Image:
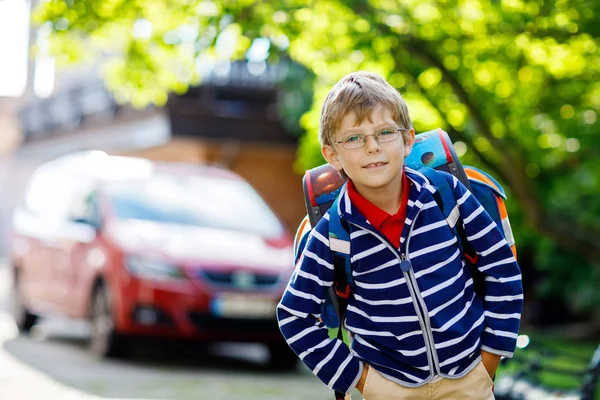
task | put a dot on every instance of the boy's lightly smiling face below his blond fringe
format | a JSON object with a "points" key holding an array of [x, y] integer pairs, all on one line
{"points": [[375, 165]]}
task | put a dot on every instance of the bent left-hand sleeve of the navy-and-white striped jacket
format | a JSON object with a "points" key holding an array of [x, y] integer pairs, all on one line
{"points": [[299, 311]]}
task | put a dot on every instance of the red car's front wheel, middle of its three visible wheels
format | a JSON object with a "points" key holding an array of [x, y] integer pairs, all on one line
{"points": [[104, 340]]}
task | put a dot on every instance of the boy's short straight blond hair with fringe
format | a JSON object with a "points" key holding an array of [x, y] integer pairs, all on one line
{"points": [[359, 92]]}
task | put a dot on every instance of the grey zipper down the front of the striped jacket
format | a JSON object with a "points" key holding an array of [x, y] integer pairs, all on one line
{"points": [[412, 284]]}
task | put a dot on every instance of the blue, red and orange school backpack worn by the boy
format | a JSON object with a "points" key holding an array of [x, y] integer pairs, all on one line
{"points": [[432, 152]]}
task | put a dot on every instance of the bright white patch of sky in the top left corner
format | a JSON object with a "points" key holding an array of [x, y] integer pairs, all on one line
{"points": [[14, 40]]}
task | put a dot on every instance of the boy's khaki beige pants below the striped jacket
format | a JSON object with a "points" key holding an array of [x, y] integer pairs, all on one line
{"points": [[476, 385]]}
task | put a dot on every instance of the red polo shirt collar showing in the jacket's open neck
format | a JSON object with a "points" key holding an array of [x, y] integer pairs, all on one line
{"points": [[389, 225]]}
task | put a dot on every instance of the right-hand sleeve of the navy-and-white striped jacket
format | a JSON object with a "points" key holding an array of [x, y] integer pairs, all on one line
{"points": [[503, 301]]}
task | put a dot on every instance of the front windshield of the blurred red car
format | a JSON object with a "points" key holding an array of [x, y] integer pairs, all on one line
{"points": [[221, 203]]}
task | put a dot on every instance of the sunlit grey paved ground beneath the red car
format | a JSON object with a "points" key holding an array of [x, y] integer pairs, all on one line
{"points": [[54, 364]]}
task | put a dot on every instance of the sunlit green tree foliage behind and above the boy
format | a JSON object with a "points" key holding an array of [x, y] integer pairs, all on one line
{"points": [[515, 81]]}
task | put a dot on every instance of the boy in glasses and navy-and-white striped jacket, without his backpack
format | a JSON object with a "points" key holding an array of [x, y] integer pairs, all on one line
{"points": [[418, 329]]}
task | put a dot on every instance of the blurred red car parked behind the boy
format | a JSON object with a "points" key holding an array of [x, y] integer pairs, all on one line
{"points": [[153, 249]]}
